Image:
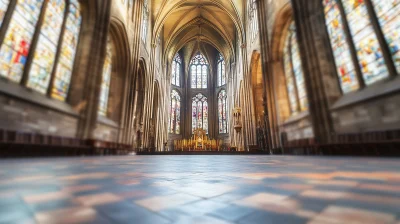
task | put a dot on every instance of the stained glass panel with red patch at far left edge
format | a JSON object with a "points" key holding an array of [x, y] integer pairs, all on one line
{"points": [[16, 44]]}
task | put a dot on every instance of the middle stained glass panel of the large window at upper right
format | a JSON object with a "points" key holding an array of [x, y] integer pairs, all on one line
{"points": [[369, 53]]}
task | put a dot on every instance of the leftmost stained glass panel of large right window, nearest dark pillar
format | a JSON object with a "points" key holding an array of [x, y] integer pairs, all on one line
{"points": [[345, 67]]}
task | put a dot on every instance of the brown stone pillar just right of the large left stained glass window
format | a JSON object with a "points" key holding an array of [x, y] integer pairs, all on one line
{"points": [[91, 69]]}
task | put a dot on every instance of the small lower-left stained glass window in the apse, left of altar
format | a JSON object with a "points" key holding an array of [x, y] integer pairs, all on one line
{"points": [[175, 113]]}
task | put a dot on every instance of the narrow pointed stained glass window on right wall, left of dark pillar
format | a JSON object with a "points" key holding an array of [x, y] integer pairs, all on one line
{"points": [[294, 72]]}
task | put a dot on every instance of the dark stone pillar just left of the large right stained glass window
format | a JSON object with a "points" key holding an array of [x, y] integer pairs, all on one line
{"points": [[312, 39]]}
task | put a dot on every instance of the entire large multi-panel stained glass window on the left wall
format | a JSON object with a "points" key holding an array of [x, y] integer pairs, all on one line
{"points": [[47, 71]]}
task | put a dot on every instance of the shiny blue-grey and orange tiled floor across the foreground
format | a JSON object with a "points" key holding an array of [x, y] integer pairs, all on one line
{"points": [[200, 189]]}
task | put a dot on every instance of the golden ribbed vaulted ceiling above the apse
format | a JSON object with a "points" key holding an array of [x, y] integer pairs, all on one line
{"points": [[184, 22]]}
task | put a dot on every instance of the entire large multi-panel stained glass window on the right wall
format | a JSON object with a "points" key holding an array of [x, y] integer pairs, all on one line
{"points": [[358, 52]]}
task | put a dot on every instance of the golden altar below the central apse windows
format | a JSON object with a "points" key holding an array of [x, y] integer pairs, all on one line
{"points": [[198, 142]]}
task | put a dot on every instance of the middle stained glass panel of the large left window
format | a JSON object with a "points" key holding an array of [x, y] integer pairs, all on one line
{"points": [[43, 61]]}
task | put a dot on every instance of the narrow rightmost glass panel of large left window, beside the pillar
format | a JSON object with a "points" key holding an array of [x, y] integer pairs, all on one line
{"points": [[67, 54]]}
